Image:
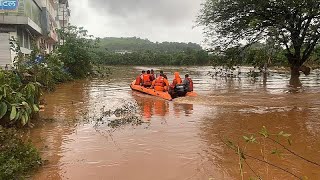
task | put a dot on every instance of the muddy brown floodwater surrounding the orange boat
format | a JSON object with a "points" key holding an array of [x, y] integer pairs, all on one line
{"points": [[181, 139]]}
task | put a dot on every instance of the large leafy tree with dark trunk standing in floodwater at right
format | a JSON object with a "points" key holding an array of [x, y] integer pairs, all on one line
{"points": [[294, 24]]}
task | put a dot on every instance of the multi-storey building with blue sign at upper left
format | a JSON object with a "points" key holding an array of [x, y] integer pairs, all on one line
{"points": [[28, 21]]}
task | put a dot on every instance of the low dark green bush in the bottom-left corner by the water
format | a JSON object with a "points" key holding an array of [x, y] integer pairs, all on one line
{"points": [[16, 157]]}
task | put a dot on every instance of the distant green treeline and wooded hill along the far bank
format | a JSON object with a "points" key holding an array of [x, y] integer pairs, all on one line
{"points": [[136, 51]]}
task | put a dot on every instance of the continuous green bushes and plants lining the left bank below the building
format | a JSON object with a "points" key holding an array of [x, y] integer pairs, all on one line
{"points": [[21, 89]]}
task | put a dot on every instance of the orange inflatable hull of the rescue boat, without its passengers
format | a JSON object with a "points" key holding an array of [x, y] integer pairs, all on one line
{"points": [[164, 95]]}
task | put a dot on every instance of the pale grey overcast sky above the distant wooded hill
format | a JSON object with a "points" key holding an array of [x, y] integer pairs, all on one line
{"points": [[156, 20]]}
